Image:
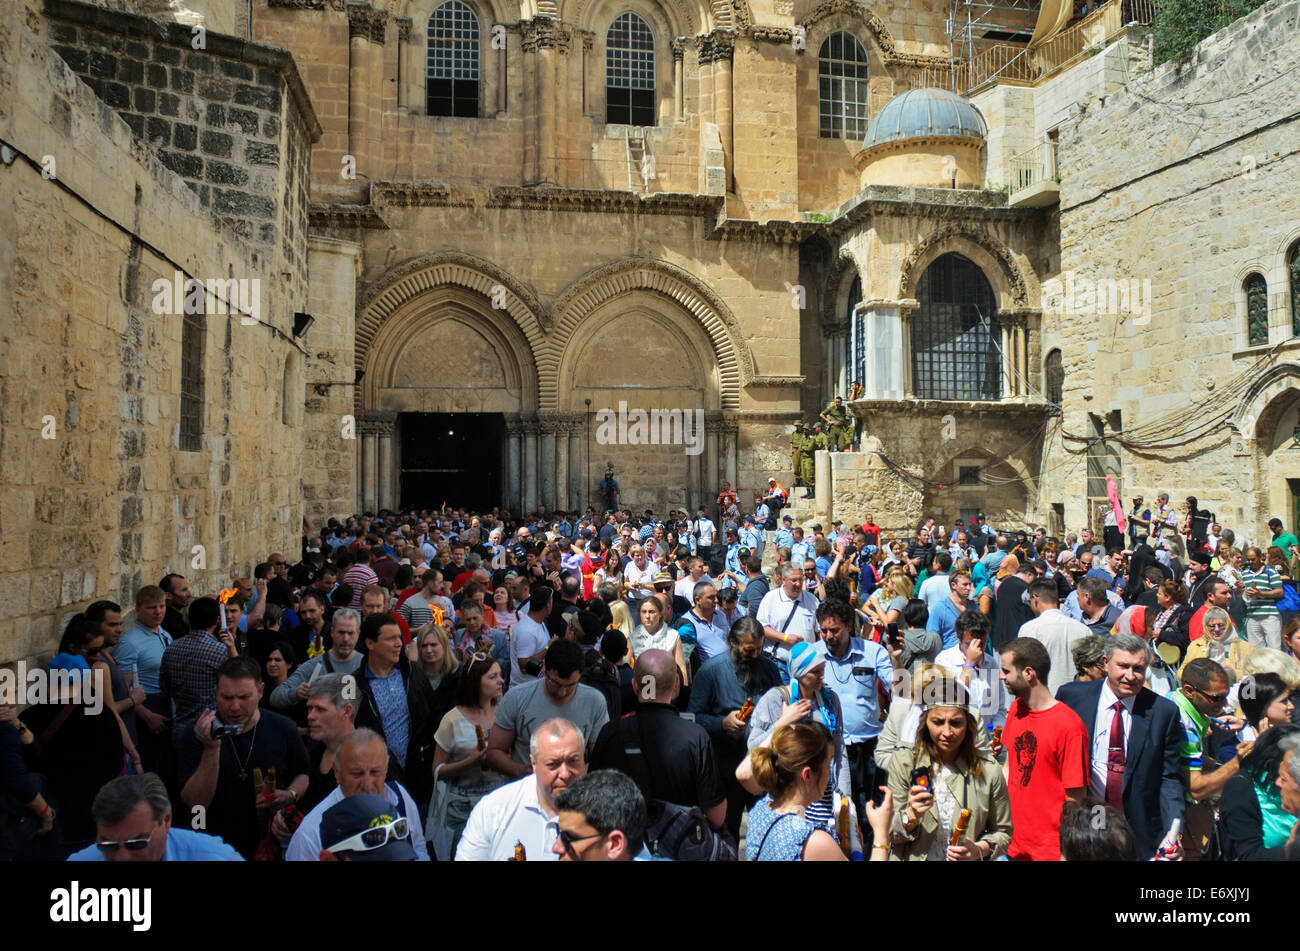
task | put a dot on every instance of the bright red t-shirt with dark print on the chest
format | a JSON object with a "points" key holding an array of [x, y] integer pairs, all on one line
{"points": [[1047, 753]]}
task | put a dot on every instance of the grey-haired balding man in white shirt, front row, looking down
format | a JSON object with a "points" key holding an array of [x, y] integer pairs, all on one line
{"points": [[523, 813]]}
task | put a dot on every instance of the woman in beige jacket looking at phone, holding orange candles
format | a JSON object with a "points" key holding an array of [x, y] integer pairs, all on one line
{"points": [[941, 779]]}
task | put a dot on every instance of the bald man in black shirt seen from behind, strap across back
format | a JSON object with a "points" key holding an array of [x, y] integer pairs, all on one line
{"points": [[669, 758]]}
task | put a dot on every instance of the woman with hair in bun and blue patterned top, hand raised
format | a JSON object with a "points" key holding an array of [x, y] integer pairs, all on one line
{"points": [[795, 768]]}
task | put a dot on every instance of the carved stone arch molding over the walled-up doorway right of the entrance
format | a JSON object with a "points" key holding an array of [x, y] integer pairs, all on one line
{"points": [[735, 363]]}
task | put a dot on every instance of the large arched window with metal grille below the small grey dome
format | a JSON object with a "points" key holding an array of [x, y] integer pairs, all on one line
{"points": [[956, 335]]}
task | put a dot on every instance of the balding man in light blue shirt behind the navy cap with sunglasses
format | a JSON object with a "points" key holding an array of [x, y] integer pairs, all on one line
{"points": [[361, 767]]}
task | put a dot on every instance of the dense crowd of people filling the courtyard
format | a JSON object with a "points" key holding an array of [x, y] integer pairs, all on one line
{"points": [[443, 685]]}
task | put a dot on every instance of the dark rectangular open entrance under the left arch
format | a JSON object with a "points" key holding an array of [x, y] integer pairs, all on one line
{"points": [[452, 458]]}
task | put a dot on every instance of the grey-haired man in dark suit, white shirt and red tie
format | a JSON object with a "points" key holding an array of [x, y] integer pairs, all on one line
{"points": [[1136, 740]]}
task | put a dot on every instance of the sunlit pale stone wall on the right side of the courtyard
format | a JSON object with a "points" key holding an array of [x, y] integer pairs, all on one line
{"points": [[1189, 181]]}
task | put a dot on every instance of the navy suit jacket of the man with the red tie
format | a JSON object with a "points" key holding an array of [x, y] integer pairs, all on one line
{"points": [[1154, 785]]}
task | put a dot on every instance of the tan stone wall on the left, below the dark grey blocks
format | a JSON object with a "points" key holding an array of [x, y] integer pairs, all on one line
{"points": [[98, 498]]}
